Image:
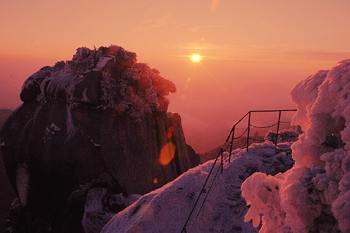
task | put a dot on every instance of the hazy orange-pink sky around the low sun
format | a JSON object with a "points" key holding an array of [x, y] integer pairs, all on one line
{"points": [[255, 51]]}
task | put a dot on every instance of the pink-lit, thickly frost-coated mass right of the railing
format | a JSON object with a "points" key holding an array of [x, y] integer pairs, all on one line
{"points": [[314, 196]]}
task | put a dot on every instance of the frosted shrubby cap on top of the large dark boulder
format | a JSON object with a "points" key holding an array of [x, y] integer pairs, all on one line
{"points": [[104, 78]]}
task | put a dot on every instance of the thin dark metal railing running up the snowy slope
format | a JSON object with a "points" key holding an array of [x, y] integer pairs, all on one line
{"points": [[229, 146]]}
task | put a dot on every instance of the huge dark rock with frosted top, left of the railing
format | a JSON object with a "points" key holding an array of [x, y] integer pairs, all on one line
{"points": [[99, 120]]}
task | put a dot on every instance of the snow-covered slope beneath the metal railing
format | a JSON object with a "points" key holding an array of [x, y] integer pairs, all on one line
{"points": [[167, 208]]}
